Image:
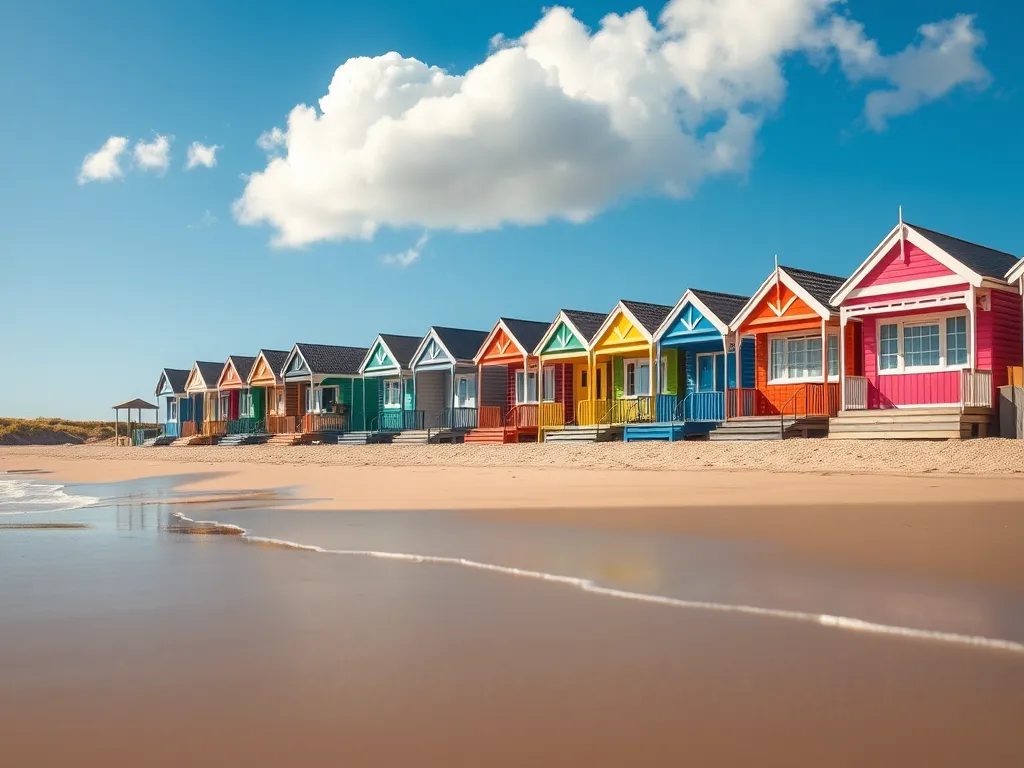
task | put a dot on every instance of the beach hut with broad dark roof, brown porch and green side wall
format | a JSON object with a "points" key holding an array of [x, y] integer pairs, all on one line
{"points": [[332, 398]]}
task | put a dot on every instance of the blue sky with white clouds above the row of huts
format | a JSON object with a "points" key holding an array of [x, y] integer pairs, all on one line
{"points": [[191, 181]]}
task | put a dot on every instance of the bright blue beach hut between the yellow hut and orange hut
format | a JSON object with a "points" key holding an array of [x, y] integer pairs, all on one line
{"points": [[697, 364]]}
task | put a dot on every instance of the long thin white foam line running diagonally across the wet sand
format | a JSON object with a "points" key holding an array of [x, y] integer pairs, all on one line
{"points": [[847, 624]]}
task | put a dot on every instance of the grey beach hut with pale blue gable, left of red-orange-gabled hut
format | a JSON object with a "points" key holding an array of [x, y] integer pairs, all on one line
{"points": [[445, 383]]}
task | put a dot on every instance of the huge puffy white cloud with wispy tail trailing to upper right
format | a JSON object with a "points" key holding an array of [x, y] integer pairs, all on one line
{"points": [[565, 121]]}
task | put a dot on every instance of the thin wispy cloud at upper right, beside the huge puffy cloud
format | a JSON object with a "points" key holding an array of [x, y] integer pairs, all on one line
{"points": [[946, 58]]}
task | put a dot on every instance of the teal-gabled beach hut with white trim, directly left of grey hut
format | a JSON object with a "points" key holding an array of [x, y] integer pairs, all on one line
{"points": [[390, 364]]}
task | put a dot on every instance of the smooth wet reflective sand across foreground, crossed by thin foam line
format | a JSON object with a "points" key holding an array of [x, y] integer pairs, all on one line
{"points": [[127, 645]]}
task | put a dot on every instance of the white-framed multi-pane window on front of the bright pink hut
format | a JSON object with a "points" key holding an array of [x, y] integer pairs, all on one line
{"points": [[923, 345]]}
